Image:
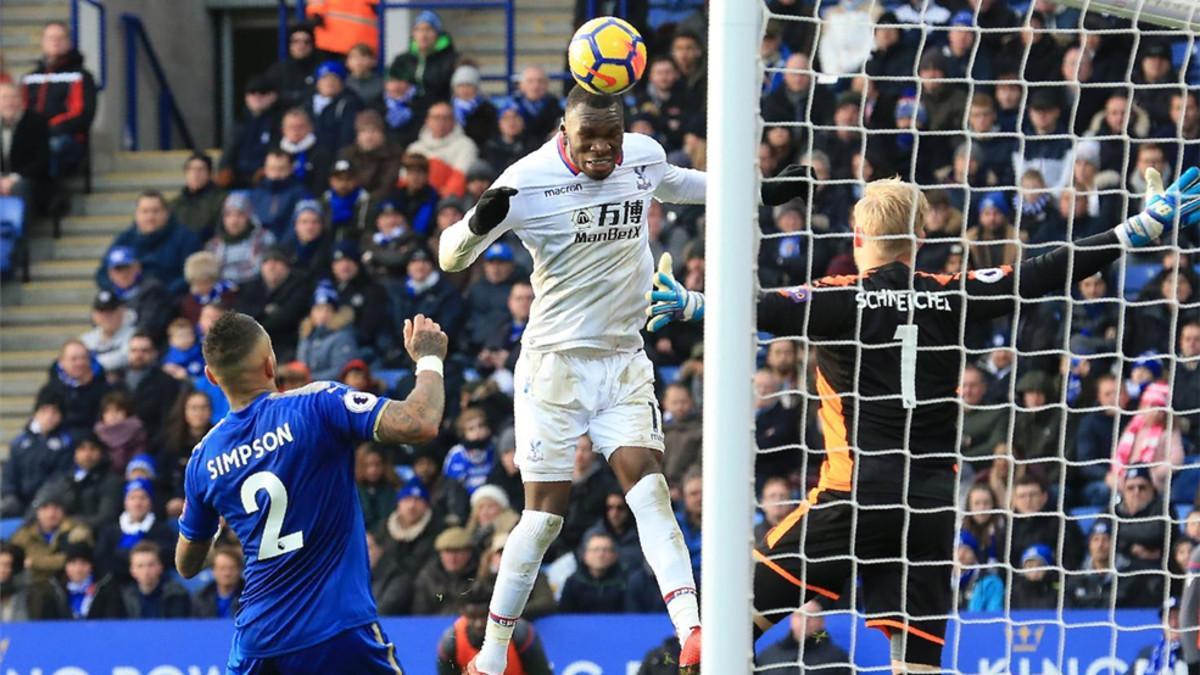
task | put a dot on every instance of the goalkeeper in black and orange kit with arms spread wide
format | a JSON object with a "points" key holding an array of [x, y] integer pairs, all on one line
{"points": [[887, 344]]}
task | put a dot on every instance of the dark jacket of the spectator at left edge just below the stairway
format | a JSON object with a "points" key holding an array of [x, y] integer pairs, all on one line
{"points": [[34, 461]]}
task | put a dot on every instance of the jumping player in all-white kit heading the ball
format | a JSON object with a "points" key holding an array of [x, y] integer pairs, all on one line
{"points": [[579, 205]]}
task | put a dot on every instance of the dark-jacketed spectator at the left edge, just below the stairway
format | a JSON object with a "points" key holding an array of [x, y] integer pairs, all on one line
{"points": [[39, 455]]}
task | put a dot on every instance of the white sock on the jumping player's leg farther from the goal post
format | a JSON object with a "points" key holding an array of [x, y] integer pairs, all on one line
{"points": [[526, 546]]}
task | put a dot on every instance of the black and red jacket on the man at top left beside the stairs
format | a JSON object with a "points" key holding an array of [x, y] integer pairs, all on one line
{"points": [[64, 94]]}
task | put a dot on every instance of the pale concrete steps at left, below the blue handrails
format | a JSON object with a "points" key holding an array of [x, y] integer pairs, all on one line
{"points": [[38, 318]]}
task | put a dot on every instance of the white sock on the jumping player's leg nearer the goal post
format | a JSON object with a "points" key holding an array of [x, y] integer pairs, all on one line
{"points": [[665, 551]]}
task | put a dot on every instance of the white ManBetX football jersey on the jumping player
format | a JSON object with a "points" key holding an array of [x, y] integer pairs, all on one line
{"points": [[590, 242]]}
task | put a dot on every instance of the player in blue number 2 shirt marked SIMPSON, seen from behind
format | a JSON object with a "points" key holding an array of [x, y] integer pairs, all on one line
{"points": [[280, 470]]}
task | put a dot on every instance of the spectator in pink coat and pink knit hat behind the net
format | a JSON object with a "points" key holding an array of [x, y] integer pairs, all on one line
{"points": [[1150, 439]]}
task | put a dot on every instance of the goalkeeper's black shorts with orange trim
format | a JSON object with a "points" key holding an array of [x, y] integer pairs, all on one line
{"points": [[905, 568]]}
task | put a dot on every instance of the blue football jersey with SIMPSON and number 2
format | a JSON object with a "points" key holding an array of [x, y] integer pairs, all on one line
{"points": [[281, 473]]}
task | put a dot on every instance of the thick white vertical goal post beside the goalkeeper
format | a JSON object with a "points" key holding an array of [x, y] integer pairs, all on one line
{"points": [[734, 129]]}
